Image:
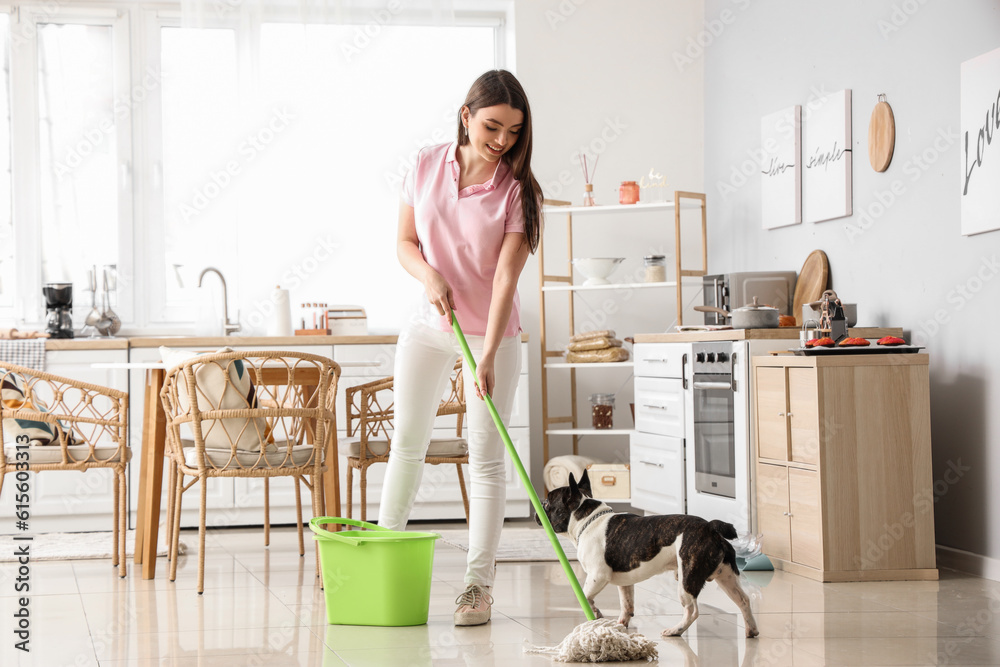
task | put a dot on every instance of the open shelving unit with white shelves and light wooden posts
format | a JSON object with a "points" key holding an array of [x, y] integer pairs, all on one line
{"points": [[558, 377]]}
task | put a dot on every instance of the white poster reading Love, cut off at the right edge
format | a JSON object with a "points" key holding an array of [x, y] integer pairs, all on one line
{"points": [[980, 127]]}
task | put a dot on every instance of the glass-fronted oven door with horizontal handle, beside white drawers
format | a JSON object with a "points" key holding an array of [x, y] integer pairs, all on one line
{"points": [[714, 435]]}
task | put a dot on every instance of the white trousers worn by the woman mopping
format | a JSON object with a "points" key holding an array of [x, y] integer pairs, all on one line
{"points": [[425, 358]]}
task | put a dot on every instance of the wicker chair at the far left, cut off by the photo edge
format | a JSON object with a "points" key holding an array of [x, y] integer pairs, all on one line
{"points": [[90, 425]]}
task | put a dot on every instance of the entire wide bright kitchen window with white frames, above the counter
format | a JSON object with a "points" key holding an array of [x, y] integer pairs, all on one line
{"points": [[269, 149]]}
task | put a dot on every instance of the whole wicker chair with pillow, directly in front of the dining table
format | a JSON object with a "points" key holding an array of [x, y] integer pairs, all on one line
{"points": [[247, 414]]}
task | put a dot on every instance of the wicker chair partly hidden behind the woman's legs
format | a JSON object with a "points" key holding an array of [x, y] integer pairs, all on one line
{"points": [[369, 418]]}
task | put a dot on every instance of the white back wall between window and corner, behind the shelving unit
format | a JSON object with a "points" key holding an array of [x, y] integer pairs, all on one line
{"points": [[602, 74]]}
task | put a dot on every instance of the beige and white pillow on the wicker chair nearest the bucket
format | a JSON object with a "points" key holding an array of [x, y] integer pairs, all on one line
{"points": [[218, 393]]}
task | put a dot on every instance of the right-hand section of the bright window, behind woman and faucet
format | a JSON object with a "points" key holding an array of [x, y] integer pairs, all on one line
{"points": [[285, 180]]}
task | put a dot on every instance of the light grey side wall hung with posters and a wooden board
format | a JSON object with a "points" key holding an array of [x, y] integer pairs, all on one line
{"points": [[907, 264]]}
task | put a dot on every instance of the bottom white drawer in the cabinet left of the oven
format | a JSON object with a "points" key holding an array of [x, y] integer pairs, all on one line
{"points": [[657, 466]]}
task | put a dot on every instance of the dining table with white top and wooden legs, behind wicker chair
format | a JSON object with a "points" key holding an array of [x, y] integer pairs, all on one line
{"points": [[154, 436]]}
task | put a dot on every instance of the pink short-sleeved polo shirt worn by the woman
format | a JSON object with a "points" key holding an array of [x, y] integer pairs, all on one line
{"points": [[460, 233]]}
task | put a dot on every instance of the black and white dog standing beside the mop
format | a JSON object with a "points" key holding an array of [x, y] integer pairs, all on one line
{"points": [[624, 549]]}
